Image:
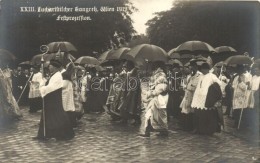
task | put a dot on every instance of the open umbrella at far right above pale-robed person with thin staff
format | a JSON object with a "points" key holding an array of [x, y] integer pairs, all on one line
{"points": [[238, 59]]}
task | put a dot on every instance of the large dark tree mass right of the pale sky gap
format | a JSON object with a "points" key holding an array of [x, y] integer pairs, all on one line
{"points": [[218, 23]]}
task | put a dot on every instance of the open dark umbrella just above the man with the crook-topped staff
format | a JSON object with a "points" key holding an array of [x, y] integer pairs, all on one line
{"points": [[61, 46]]}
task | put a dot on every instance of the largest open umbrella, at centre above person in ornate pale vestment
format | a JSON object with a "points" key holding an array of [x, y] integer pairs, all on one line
{"points": [[146, 53]]}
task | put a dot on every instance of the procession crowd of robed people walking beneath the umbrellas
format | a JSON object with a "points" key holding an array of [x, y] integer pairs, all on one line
{"points": [[194, 94]]}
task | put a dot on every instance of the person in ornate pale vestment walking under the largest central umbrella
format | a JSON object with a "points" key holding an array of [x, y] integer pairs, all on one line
{"points": [[154, 114]]}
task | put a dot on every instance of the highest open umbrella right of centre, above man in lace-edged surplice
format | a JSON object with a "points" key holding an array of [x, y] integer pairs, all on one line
{"points": [[195, 47]]}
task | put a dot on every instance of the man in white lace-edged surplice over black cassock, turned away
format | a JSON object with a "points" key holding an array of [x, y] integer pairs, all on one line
{"points": [[206, 100]]}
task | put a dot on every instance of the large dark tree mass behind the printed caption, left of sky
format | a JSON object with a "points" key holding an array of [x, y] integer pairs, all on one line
{"points": [[23, 33]]}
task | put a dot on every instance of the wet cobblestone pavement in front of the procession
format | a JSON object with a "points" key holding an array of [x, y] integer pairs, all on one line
{"points": [[100, 140]]}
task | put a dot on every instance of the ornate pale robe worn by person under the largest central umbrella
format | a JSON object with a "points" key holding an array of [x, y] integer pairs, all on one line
{"points": [[155, 101]]}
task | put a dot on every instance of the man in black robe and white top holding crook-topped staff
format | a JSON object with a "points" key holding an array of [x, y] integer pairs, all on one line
{"points": [[57, 123]]}
